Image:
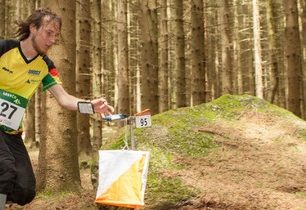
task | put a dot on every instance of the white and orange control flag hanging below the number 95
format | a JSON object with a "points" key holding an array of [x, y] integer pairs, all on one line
{"points": [[122, 177]]}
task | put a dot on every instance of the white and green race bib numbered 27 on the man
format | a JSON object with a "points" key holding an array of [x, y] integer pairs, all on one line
{"points": [[12, 109]]}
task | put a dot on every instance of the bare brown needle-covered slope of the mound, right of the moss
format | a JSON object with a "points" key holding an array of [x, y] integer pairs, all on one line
{"points": [[261, 165]]}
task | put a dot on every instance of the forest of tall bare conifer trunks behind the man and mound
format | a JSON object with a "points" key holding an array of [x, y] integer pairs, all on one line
{"points": [[158, 55]]}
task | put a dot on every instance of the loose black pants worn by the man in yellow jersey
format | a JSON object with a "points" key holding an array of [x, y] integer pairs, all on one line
{"points": [[17, 178]]}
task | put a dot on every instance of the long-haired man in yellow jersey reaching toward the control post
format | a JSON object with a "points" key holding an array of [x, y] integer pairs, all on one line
{"points": [[24, 65]]}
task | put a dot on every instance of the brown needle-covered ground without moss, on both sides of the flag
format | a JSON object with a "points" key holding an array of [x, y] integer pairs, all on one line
{"points": [[260, 163]]}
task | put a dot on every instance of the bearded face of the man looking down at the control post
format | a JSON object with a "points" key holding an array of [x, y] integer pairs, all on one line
{"points": [[44, 37]]}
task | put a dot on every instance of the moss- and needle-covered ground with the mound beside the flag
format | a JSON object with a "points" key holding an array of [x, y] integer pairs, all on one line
{"points": [[234, 153]]}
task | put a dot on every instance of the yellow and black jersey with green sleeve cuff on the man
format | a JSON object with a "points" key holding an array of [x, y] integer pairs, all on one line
{"points": [[19, 79]]}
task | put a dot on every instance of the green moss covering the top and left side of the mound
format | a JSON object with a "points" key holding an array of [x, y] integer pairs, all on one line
{"points": [[174, 133]]}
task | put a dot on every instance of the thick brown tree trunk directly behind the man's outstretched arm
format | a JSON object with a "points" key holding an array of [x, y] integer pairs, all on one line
{"points": [[58, 159]]}
